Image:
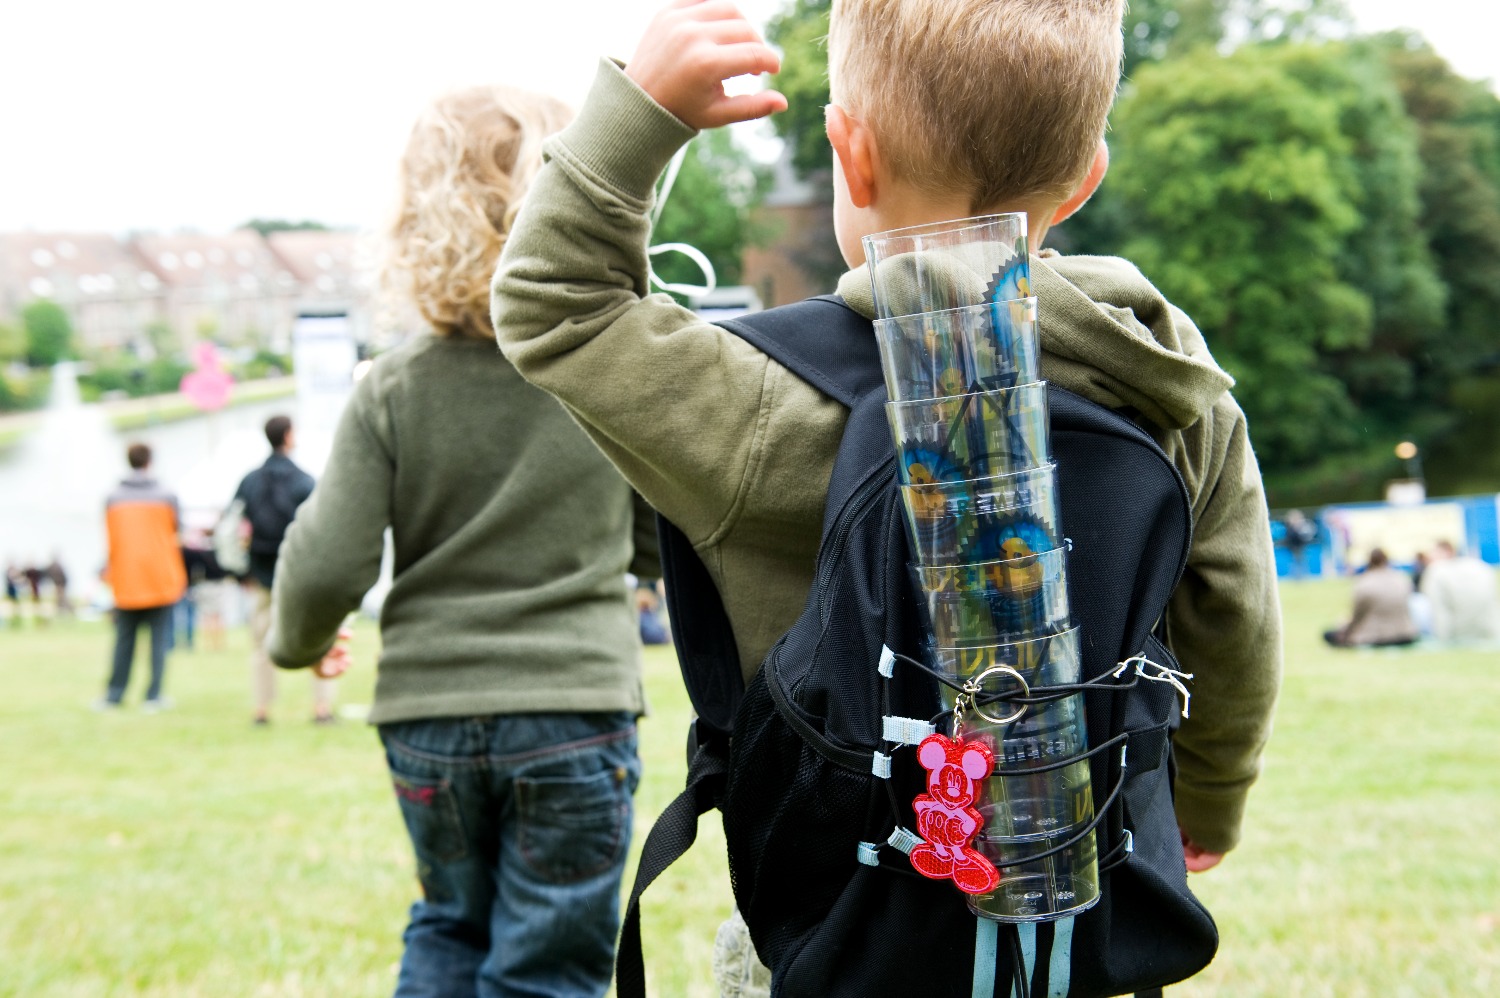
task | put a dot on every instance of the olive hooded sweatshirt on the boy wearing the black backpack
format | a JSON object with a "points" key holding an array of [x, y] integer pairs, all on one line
{"points": [[739, 452]]}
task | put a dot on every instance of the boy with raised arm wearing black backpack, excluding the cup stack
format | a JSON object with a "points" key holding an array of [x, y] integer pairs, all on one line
{"points": [[740, 442]]}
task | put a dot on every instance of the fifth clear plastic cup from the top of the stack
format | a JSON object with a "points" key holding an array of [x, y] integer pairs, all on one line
{"points": [[997, 601]]}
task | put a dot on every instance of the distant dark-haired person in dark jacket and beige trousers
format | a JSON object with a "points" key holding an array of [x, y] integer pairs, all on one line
{"points": [[269, 499]]}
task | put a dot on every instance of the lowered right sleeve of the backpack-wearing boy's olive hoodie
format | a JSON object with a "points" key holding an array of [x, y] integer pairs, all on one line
{"points": [[1225, 627]]}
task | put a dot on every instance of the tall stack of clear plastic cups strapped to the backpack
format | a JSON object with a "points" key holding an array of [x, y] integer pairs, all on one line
{"points": [[959, 349]]}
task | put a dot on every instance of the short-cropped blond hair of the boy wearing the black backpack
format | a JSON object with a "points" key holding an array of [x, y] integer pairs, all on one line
{"points": [[1003, 101]]}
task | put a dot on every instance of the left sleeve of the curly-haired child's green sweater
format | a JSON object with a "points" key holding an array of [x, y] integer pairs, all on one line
{"points": [[332, 553]]}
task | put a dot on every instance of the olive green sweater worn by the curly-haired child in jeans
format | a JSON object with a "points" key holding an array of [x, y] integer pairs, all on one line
{"points": [[512, 537]]}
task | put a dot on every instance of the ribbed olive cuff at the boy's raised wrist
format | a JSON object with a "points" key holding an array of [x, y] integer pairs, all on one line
{"points": [[622, 134]]}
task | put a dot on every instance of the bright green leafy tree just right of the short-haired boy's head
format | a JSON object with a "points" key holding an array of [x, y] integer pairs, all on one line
{"points": [[1289, 227]]}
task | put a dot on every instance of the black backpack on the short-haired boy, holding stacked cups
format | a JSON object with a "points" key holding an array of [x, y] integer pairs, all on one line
{"points": [[788, 762]]}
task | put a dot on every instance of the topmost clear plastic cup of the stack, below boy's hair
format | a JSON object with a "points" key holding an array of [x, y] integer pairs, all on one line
{"points": [[949, 265]]}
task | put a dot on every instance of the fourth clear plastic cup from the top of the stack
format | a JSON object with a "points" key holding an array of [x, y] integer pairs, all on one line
{"points": [[983, 520]]}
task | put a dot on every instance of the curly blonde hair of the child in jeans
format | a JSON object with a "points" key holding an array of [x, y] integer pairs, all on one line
{"points": [[463, 178]]}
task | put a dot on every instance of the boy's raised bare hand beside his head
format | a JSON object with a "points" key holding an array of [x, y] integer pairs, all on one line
{"points": [[686, 55]]}
